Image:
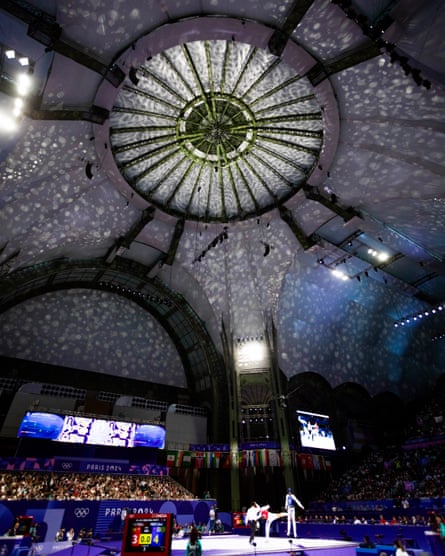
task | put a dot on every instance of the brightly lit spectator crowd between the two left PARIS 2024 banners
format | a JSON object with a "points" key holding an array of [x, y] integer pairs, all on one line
{"points": [[40, 485]]}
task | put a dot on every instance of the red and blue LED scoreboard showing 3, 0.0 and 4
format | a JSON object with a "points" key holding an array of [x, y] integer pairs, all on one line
{"points": [[147, 533]]}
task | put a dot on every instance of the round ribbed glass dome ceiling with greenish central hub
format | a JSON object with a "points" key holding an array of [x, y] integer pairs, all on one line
{"points": [[216, 131]]}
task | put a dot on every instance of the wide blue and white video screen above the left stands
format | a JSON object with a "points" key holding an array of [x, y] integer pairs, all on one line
{"points": [[87, 430]]}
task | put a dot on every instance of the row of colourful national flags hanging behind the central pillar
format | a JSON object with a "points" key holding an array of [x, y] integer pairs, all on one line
{"points": [[244, 459]]}
